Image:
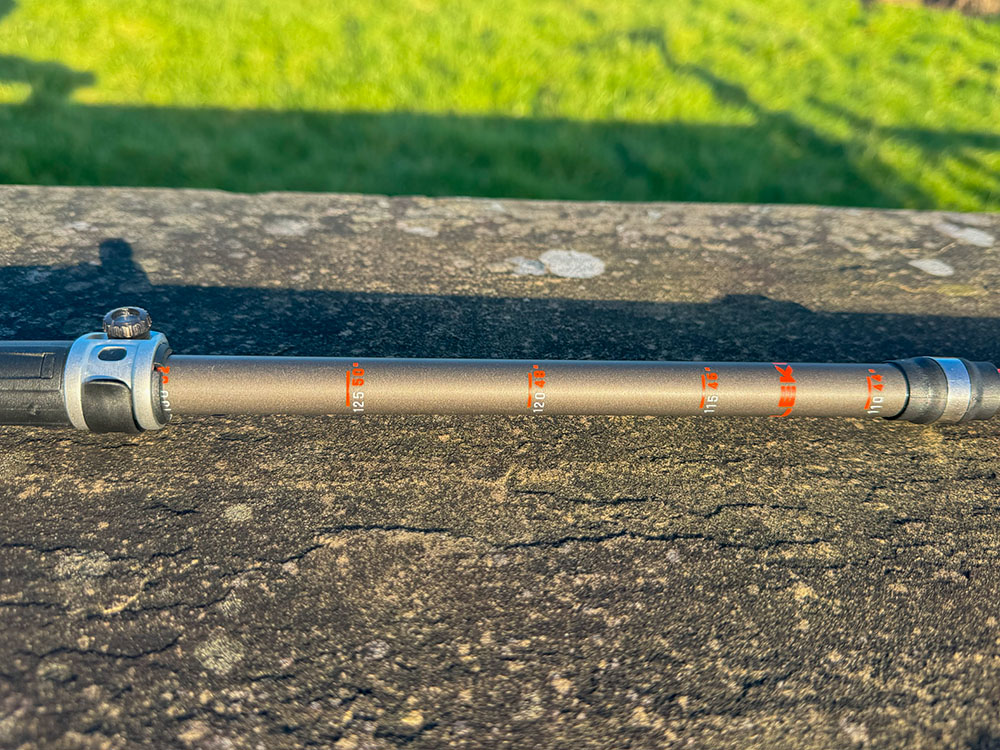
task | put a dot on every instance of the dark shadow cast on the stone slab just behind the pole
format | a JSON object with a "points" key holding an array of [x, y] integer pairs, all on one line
{"points": [[249, 320]]}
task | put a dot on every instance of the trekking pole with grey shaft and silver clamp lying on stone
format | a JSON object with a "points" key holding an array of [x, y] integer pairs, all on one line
{"points": [[127, 379]]}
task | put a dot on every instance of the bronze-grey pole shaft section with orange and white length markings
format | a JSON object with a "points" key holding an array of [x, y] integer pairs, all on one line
{"points": [[304, 385]]}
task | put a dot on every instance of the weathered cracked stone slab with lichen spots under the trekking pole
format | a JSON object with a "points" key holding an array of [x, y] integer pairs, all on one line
{"points": [[501, 581]]}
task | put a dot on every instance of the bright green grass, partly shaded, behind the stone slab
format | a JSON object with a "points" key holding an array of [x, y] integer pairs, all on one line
{"points": [[802, 101]]}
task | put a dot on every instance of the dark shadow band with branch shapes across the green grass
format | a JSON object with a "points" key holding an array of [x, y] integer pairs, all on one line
{"points": [[49, 140]]}
